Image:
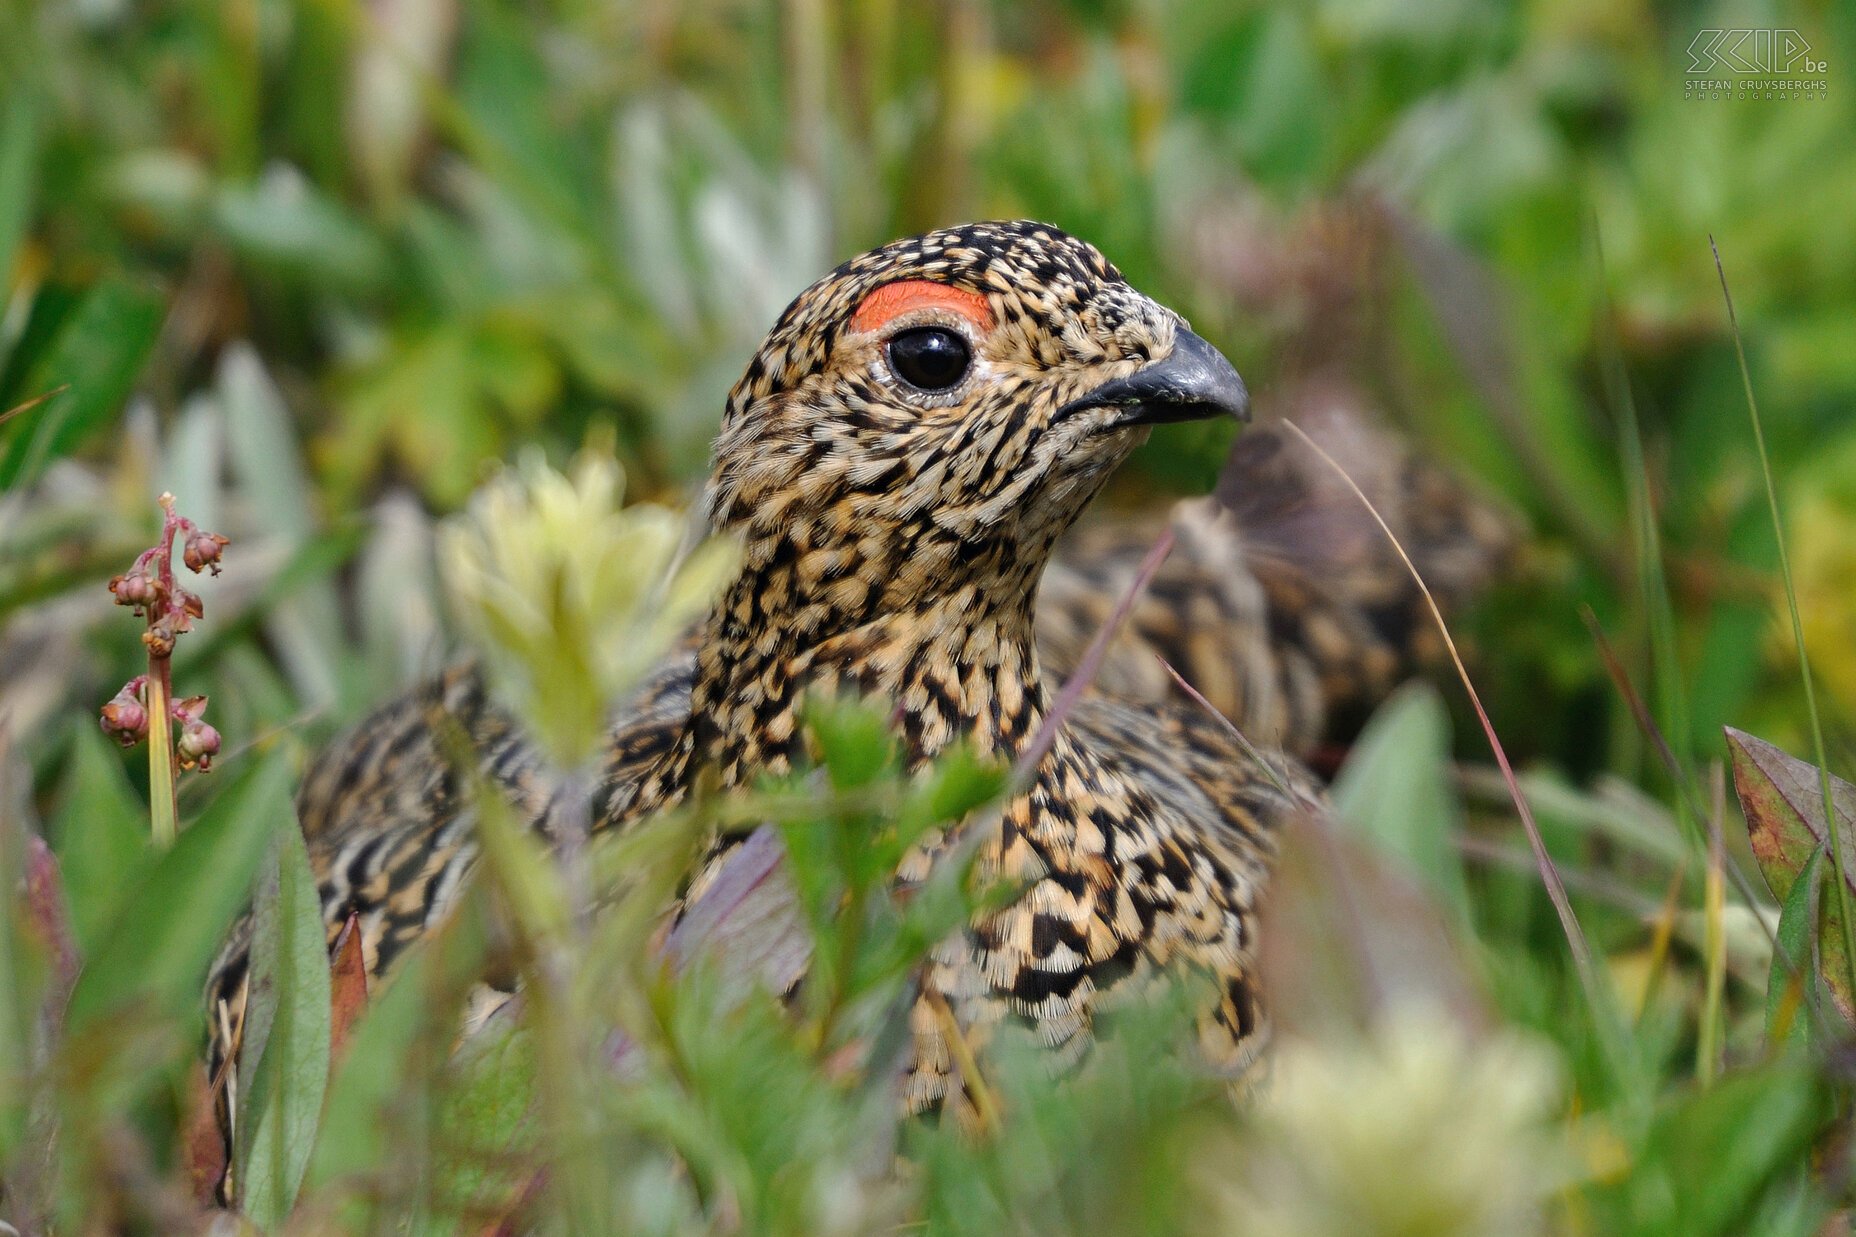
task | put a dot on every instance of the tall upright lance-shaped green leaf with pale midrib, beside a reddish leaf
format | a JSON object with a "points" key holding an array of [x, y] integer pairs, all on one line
{"points": [[285, 1056]]}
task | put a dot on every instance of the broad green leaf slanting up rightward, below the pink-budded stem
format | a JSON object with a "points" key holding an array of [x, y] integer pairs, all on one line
{"points": [[157, 952]]}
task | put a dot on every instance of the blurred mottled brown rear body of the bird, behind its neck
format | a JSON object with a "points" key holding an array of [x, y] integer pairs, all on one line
{"points": [[1282, 603]]}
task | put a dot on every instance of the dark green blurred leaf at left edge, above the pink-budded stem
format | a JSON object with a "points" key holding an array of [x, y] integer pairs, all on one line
{"points": [[97, 352]]}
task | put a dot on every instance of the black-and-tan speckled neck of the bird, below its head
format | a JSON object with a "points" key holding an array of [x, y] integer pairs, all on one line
{"points": [[946, 638]]}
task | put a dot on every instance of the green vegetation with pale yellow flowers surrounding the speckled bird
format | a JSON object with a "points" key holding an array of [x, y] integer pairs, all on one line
{"points": [[315, 267]]}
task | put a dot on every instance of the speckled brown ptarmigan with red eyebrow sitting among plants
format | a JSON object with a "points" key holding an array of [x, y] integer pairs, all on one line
{"points": [[899, 463]]}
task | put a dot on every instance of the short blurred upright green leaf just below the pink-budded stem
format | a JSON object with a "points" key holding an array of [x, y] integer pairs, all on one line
{"points": [[103, 835]]}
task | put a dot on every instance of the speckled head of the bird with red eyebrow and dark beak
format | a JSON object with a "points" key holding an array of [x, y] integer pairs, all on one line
{"points": [[946, 406]]}
